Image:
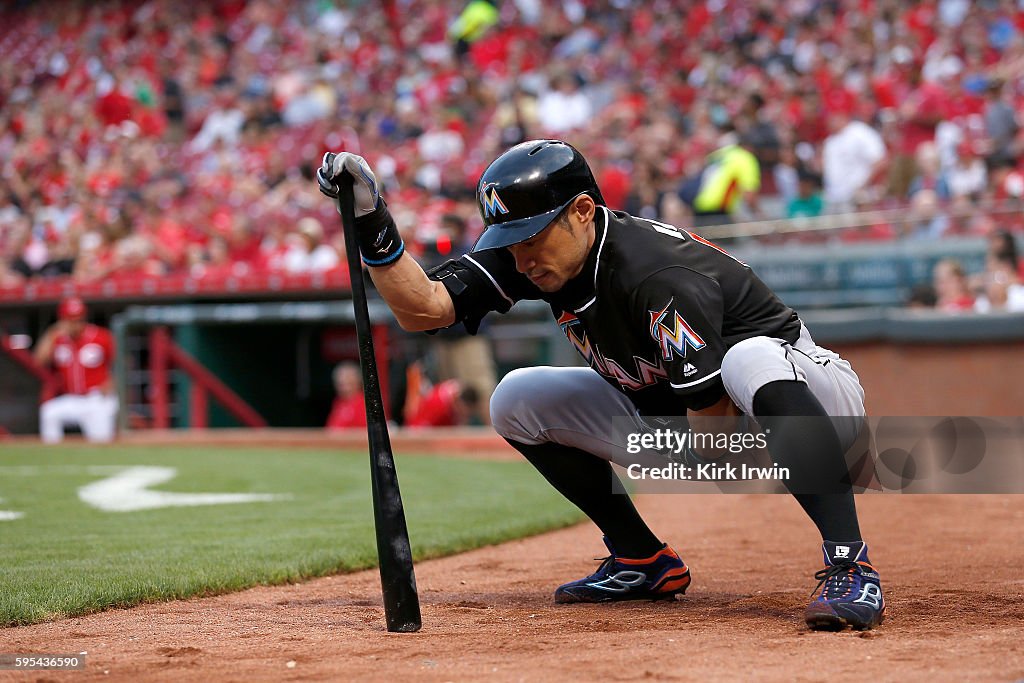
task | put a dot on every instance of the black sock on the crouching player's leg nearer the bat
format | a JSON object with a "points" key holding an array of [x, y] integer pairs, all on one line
{"points": [[589, 483]]}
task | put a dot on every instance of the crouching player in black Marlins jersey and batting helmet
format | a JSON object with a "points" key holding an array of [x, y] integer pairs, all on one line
{"points": [[669, 324]]}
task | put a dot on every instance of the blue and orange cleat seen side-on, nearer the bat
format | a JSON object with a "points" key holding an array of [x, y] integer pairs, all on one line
{"points": [[660, 577]]}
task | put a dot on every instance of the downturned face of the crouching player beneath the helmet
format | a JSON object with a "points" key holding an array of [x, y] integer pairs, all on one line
{"points": [[558, 253]]}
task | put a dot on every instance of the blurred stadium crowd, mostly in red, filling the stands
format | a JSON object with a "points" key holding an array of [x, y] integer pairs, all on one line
{"points": [[144, 139]]}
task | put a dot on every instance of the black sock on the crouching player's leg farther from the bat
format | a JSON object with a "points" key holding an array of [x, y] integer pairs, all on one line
{"points": [[812, 450]]}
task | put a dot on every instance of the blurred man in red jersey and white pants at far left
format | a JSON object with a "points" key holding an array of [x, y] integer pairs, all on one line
{"points": [[83, 355]]}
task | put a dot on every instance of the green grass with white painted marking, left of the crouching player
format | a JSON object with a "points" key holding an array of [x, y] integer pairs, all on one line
{"points": [[65, 558]]}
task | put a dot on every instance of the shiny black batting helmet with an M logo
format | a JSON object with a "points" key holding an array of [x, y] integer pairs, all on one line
{"points": [[522, 192]]}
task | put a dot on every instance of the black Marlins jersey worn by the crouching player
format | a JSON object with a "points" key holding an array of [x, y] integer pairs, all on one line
{"points": [[654, 310]]}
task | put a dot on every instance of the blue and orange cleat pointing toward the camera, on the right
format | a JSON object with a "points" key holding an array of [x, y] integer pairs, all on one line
{"points": [[851, 591]]}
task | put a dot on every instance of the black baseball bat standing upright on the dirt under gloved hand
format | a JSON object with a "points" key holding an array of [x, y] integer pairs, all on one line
{"points": [[402, 605]]}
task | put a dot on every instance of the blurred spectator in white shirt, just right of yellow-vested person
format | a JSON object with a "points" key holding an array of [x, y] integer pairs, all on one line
{"points": [[854, 156]]}
